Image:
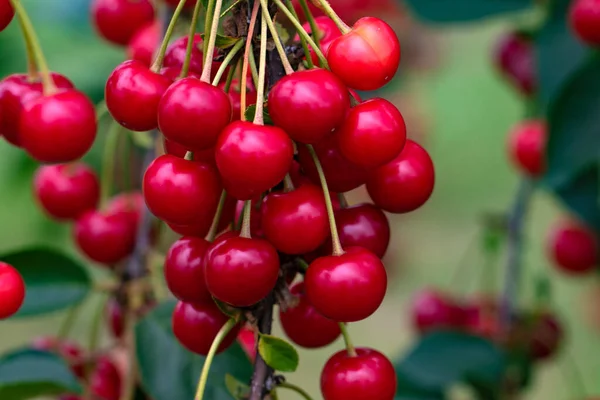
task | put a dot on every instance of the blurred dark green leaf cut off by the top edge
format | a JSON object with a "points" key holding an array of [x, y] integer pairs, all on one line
{"points": [[464, 10]]}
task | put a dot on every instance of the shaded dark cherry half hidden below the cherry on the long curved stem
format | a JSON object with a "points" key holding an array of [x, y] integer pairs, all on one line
{"points": [[305, 326]]}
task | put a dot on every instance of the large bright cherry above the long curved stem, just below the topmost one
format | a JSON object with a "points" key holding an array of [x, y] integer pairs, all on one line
{"points": [[308, 105]]}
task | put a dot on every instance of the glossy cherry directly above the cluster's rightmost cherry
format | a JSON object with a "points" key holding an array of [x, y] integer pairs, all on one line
{"points": [[373, 133]]}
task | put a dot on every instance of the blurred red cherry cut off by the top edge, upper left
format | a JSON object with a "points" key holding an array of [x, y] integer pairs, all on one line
{"points": [[118, 20]]}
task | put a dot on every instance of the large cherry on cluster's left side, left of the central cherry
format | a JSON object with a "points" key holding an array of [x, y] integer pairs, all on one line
{"points": [[181, 192]]}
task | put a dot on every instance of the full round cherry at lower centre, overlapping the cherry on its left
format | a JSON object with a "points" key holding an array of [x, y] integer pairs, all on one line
{"points": [[241, 271]]}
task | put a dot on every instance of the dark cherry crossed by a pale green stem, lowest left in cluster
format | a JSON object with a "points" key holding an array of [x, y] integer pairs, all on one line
{"points": [[197, 325]]}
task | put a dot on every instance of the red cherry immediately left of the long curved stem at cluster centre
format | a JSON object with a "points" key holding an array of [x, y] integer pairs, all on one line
{"points": [[295, 222]]}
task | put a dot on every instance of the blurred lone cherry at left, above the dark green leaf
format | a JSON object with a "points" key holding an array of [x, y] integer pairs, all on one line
{"points": [[66, 191]]}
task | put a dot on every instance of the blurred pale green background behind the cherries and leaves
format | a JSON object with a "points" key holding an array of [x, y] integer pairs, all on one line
{"points": [[467, 110]]}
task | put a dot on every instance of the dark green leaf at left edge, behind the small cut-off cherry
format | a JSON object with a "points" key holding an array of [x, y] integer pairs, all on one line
{"points": [[53, 281]]}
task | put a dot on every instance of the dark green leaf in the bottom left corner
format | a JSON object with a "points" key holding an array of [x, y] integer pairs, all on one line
{"points": [[31, 373]]}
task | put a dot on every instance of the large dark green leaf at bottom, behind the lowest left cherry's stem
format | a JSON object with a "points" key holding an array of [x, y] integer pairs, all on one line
{"points": [[169, 372]]}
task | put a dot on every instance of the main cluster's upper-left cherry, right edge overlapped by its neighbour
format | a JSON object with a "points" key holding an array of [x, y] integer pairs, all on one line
{"points": [[132, 94]]}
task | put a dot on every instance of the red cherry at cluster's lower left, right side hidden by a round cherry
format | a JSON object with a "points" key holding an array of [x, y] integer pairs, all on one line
{"points": [[184, 271]]}
